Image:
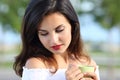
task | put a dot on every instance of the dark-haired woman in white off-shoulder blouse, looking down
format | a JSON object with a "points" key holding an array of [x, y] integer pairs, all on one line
{"points": [[52, 48]]}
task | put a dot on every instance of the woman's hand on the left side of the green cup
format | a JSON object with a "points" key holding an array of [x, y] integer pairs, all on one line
{"points": [[73, 73]]}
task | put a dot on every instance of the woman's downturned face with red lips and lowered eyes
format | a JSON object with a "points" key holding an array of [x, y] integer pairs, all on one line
{"points": [[55, 33]]}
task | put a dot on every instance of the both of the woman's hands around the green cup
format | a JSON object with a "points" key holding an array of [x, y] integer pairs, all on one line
{"points": [[74, 73]]}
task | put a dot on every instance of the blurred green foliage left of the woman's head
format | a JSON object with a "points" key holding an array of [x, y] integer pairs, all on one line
{"points": [[11, 12]]}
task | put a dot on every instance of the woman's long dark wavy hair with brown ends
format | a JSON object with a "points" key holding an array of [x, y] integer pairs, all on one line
{"points": [[31, 45]]}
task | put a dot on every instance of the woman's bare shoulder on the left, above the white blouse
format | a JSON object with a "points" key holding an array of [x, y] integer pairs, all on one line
{"points": [[34, 63]]}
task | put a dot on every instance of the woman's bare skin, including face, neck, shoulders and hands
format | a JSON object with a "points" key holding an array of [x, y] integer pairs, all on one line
{"points": [[50, 33]]}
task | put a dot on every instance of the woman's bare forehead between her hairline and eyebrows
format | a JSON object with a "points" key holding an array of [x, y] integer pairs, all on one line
{"points": [[53, 20]]}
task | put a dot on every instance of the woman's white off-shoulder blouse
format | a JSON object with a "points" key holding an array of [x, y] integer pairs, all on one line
{"points": [[45, 74]]}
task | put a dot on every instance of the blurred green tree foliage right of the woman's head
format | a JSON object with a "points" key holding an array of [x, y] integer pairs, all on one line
{"points": [[106, 12]]}
